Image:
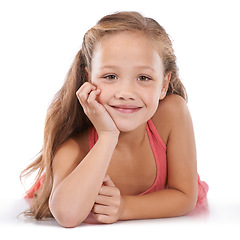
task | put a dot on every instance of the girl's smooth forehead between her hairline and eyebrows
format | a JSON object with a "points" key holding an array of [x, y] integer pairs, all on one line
{"points": [[127, 48]]}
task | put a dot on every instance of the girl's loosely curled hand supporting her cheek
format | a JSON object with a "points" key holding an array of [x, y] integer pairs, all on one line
{"points": [[95, 111]]}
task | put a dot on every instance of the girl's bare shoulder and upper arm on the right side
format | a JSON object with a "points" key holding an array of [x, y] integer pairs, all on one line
{"points": [[174, 124]]}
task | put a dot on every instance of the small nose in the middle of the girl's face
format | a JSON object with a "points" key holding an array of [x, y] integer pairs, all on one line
{"points": [[125, 91]]}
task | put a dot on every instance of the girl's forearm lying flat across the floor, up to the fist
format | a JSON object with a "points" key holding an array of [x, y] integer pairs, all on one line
{"points": [[160, 204]]}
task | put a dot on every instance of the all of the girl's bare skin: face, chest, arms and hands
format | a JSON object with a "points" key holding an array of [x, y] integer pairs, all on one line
{"points": [[126, 87]]}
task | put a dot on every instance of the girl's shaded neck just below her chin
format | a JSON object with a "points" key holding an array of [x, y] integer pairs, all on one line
{"points": [[132, 139]]}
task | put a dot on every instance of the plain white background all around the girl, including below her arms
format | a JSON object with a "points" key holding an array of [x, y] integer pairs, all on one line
{"points": [[38, 42]]}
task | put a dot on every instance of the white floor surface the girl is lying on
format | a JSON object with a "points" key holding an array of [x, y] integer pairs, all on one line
{"points": [[218, 219]]}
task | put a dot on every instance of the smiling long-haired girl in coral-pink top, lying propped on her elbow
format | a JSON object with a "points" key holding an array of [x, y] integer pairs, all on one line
{"points": [[118, 139]]}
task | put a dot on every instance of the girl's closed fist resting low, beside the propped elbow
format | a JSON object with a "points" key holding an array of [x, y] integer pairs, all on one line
{"points": [[109, 203]]}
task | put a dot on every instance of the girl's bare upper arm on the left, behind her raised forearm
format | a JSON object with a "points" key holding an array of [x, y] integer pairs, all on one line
{"points": [[68, 156]]}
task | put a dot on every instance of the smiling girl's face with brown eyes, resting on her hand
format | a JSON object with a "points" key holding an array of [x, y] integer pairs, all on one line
{"points": [[129, 73]]}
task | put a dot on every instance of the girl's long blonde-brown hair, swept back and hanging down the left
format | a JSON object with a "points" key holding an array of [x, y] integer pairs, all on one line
{"points": [[65, 117]]}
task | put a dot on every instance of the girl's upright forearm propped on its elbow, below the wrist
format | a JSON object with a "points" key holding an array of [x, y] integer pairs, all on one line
{"points": [[73, 198]]}
